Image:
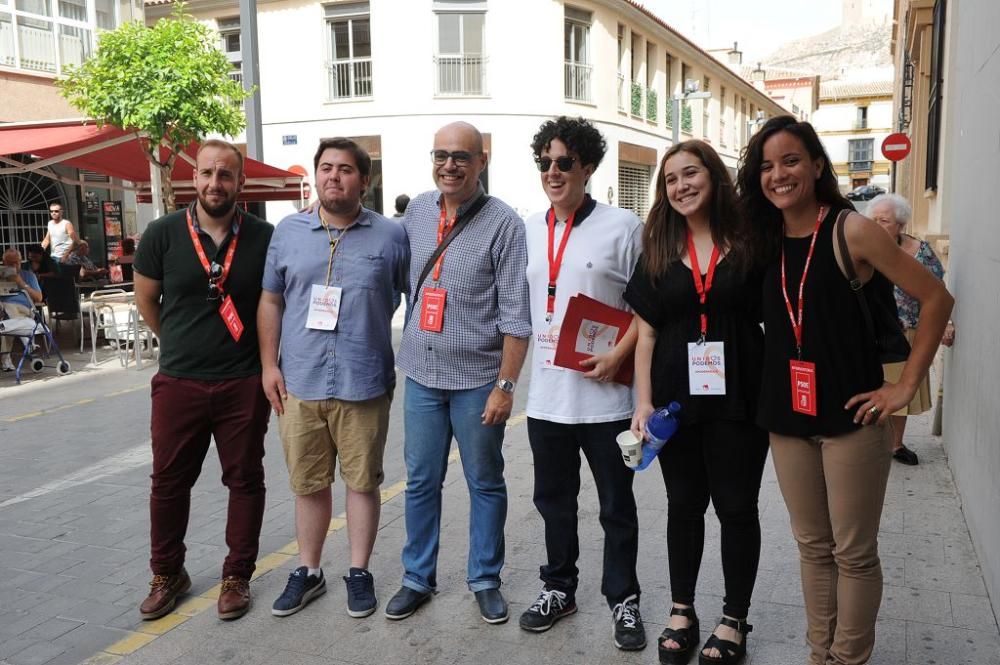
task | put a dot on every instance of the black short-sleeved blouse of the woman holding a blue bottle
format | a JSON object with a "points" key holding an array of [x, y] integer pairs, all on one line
{"points": [[733, 307]]}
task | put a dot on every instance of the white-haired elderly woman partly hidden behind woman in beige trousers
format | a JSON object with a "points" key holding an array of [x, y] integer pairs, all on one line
{"points": [[893, 213]]}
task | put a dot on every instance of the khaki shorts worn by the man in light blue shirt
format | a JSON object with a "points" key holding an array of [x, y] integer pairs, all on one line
{"points": [[315, 432]]}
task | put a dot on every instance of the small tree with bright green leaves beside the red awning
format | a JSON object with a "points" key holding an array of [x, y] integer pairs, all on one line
{"points": [[169, 82]]}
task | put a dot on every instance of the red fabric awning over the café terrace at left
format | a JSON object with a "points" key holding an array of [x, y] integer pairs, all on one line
{"points": [[119, 154]]}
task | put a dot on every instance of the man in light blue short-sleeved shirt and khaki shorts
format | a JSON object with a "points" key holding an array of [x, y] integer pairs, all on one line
{"points": [[328, 302]]}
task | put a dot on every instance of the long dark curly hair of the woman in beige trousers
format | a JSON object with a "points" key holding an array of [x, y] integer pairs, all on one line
{"points": [[765, 219]]}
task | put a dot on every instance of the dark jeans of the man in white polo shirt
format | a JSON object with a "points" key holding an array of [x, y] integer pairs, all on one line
{"points": [[556, 449]]}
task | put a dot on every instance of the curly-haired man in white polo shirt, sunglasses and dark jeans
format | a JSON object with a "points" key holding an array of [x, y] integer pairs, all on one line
{"points": [[580, 246]]}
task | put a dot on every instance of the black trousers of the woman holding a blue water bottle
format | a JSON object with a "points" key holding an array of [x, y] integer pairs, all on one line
{"points": [[723, 461]]}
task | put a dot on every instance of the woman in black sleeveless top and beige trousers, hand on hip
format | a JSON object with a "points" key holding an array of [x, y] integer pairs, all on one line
{"points": [[822, 394]]}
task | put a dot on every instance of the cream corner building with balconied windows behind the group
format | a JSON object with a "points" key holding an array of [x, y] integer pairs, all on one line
{"points": [[389, 73]]}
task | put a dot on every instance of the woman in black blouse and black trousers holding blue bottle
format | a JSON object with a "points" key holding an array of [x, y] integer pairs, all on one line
{"points": [[695, 242]]}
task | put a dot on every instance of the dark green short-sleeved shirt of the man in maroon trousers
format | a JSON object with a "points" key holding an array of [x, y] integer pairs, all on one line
{"points": [[194, 341]]}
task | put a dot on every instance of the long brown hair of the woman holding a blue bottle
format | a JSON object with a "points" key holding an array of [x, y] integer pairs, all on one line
{"points": [[664, 238]]}
